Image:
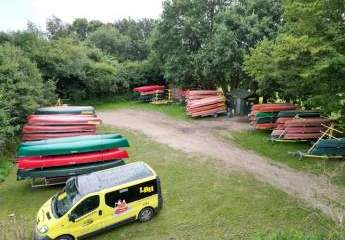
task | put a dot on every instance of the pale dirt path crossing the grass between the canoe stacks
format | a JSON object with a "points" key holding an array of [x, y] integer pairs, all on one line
{"points": [[196, 137]]}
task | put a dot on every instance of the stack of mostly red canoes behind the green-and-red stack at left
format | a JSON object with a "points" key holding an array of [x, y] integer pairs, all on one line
{"points": [[56, 122]]}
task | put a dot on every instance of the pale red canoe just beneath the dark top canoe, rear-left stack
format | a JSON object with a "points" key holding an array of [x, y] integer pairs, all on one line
{"points": [[62, 119]]}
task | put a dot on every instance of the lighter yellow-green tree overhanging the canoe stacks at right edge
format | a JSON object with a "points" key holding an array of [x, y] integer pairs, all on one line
{"points": [[307, 59]]}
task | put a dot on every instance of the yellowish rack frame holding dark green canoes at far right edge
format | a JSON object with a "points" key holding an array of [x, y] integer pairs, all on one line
{"points": [[330, 130]]}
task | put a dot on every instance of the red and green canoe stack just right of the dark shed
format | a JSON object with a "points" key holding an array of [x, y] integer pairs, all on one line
{"points": [[264, 116]]}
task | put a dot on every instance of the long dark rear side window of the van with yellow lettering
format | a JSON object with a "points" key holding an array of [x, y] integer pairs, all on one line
{"points": [[131, 194]]}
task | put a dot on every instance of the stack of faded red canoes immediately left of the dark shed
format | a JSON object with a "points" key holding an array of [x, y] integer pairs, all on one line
{"points": [[205, 103]]}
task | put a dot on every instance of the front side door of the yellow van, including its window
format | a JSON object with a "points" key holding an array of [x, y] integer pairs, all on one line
{"points": [[86, 216]]}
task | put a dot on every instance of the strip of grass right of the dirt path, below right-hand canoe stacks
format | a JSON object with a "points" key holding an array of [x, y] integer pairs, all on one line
{"points": [[279, 152]]}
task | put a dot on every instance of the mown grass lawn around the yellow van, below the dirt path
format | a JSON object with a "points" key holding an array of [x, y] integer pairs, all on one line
{"points": [[201, 201]]}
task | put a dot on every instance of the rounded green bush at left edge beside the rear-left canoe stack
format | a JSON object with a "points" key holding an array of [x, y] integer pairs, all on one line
{"points": [[22, 90]]}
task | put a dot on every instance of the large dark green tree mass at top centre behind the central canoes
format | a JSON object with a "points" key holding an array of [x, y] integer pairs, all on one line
{"points": [[202, 43]]}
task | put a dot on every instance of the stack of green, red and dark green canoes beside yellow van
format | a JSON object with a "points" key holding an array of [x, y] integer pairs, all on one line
{"points": [[70, 156]]}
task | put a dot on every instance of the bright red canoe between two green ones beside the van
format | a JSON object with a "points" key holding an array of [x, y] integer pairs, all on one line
{"points": [[73, 159]]}
